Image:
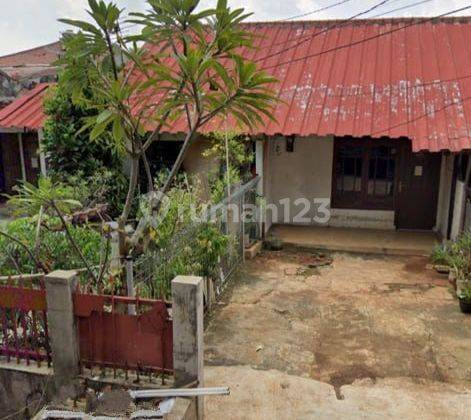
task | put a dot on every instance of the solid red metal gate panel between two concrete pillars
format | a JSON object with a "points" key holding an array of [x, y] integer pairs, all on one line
{"points": [[109, 337]]}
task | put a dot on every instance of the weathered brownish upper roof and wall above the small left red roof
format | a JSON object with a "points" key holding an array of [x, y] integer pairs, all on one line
{"points": [[32, 66]]}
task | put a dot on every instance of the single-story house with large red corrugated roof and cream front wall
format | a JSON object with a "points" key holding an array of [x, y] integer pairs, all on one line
{"points": [[374, 123]]}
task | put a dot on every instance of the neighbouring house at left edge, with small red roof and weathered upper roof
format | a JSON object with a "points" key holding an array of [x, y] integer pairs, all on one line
{"points": [[26, 73]]}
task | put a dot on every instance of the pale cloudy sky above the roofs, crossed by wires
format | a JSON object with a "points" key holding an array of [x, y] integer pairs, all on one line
{"points": [[26, 24]]}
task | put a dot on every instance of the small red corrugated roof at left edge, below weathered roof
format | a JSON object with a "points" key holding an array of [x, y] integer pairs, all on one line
{"points": [[26, 112]]}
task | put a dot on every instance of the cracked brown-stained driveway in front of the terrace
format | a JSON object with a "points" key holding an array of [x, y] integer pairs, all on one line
{"points": [[358, 317]]}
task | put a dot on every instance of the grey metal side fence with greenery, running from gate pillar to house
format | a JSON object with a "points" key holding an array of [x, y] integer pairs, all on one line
{"points": [[237, 218]]}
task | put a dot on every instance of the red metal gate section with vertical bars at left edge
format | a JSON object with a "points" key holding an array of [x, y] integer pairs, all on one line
{"points": [[23, 320]]}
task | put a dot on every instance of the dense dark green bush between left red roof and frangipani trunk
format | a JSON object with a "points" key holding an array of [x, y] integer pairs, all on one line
{"points": [[94, 168]]}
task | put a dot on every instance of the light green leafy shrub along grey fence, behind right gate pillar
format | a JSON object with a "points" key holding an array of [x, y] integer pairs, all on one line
{"points": [[179, 245]]}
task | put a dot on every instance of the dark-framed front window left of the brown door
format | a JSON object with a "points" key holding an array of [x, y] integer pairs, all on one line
{"points": [[364, 173]]}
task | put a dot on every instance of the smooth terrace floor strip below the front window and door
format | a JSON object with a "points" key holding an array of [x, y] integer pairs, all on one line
{"points": [[374, 241]]}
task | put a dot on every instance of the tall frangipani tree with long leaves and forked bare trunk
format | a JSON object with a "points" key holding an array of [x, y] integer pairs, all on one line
{"points": [[185, 66]]}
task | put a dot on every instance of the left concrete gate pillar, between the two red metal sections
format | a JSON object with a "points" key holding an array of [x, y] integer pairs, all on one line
{"points": [[62, 330]]}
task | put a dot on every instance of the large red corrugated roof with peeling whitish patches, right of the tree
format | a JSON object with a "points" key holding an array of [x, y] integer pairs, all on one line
{"points": [[395, 77]]}
